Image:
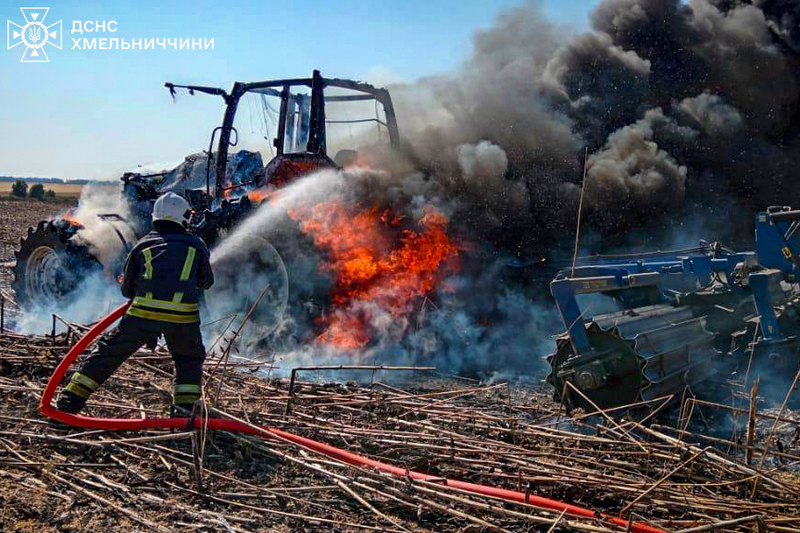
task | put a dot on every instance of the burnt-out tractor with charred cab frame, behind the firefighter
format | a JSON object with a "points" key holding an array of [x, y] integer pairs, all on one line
{"points": [[298, 123]]}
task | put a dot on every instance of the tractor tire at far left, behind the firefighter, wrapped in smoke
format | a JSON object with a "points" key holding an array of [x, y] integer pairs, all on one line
{"points": [[50, 265]]}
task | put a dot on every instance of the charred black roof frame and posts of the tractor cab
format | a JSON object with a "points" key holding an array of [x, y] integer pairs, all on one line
{"points": [[316, 140]]}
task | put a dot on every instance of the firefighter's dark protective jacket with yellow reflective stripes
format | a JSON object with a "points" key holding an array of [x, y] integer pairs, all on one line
{"points": [[165, 274]]}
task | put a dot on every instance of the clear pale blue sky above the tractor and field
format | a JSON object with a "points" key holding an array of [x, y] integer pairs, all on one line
{"points": [[97, 113]]}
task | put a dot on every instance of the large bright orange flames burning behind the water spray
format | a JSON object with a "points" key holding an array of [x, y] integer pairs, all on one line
{"points": [[379, 269]]}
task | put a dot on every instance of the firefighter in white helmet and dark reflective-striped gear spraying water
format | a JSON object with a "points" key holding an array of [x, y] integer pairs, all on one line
{"points": [[165, 275]]}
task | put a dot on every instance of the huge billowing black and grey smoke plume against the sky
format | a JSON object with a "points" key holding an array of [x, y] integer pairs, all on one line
{"points": [[685, 109]]}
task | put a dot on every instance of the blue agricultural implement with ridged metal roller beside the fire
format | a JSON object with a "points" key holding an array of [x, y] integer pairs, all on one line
{"points": [[679, 319]]}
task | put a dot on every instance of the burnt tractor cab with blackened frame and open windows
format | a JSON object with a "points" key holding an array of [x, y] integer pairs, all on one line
{"points": [[292, 127]]}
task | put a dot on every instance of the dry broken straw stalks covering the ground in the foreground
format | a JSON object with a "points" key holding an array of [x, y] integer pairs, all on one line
{"points": [[55, 479]]}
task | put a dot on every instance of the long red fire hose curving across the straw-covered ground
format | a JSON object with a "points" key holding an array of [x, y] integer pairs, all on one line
{"points": [[330, 451]]}
